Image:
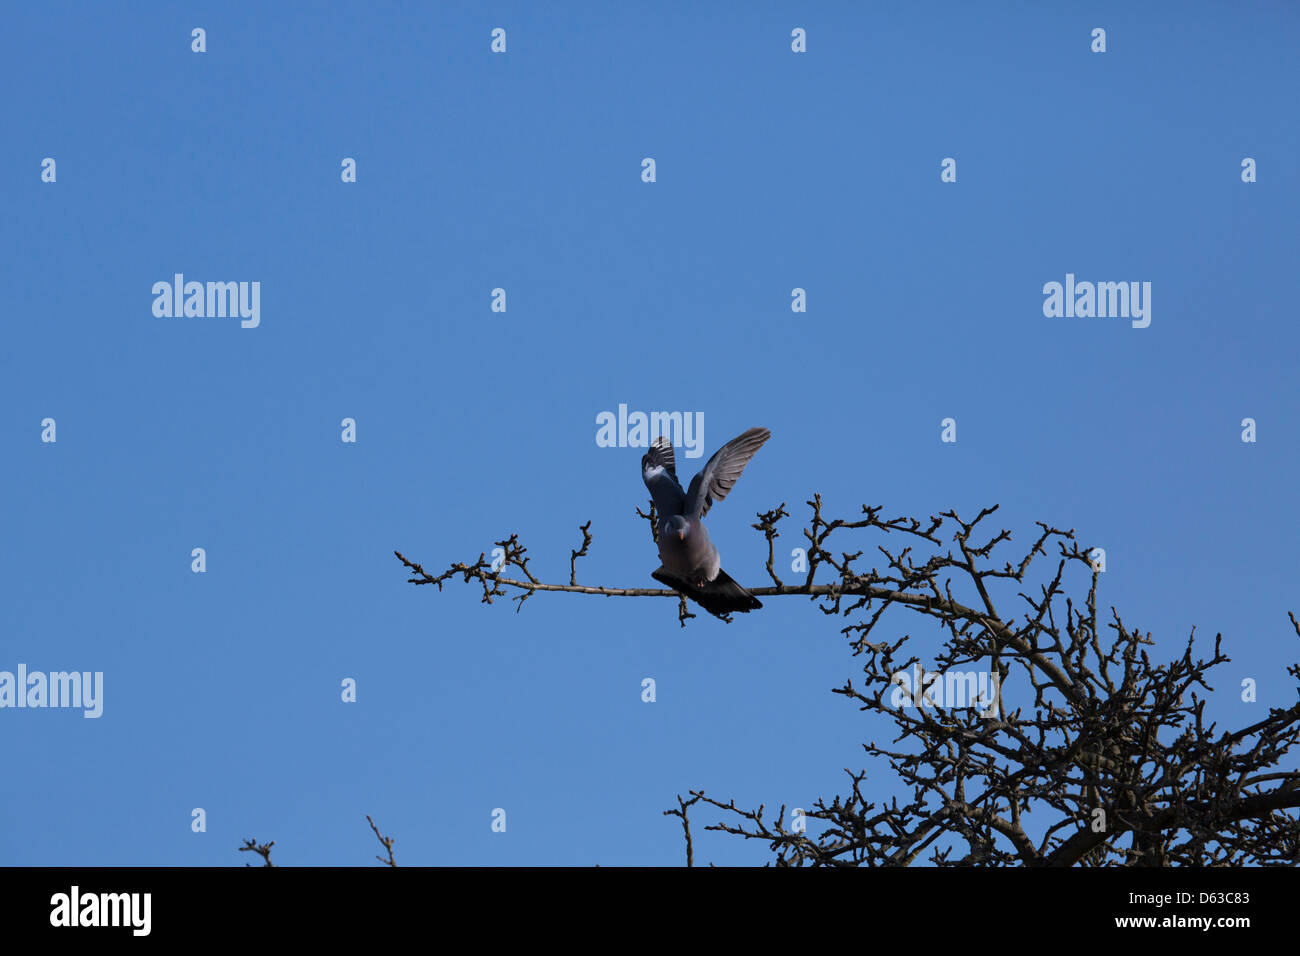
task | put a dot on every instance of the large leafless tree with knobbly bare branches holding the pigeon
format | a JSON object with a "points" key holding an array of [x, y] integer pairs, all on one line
{"points": [[1108, 759]]}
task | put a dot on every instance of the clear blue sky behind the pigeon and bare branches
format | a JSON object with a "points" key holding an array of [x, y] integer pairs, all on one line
{"points": [[523, 171]]}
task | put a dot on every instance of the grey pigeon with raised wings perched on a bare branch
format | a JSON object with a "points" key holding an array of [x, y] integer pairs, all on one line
{"points": [[691, 564]]}
